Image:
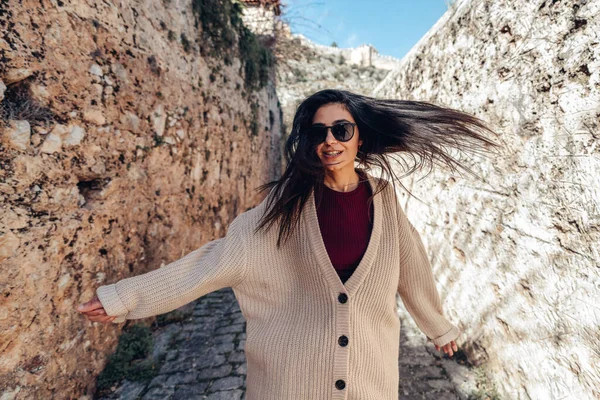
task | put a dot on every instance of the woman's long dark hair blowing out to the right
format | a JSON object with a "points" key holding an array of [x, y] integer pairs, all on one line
{"points": [[389, 128]]}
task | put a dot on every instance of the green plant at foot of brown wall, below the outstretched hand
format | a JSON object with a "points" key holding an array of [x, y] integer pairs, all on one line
{"points": [[129, 361]]}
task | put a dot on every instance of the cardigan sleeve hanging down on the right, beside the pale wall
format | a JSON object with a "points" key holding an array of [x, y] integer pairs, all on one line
{"points": [[417, 289]]}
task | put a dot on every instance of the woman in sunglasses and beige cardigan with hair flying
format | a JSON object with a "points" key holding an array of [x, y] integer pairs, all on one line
{"points": [[319, 294]]}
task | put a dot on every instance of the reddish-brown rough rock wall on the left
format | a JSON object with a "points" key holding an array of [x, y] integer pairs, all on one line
{"points": [[131, 150]]}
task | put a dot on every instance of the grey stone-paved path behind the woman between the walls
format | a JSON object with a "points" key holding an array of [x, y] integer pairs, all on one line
{"points": [[203, 358]]}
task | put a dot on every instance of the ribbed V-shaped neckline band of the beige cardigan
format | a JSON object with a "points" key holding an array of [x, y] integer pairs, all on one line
{"points": [[318, 245]]}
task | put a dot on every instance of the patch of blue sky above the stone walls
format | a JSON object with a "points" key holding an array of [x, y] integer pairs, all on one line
{"points": [[393, 27]]}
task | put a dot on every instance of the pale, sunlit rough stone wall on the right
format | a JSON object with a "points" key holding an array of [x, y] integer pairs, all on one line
{"points": [[517, 256]]}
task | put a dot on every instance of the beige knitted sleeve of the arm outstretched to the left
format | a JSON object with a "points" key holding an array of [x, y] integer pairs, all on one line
{"points": [[217, 264]]}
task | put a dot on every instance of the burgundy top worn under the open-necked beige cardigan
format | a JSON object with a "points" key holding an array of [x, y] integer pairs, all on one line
{"points": [[345, 223]]}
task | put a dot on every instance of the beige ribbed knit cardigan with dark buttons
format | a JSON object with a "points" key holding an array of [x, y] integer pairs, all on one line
{"points": [[297, 308]]}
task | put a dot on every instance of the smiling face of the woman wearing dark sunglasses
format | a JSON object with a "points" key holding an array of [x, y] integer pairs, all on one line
{"points": [[328, 115]]}
